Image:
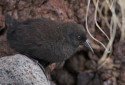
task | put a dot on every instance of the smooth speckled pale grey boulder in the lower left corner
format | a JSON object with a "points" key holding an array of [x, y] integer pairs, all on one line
{"points": [[20, 70]]}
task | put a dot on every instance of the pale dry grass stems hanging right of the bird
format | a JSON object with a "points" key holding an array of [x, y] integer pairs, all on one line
{"points": [[115, 23]]}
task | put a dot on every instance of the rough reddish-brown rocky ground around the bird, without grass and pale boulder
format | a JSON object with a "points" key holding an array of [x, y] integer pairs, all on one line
{"points": [[80, 69]]}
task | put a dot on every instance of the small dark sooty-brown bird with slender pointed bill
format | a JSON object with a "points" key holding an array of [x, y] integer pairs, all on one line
{"points": [[45, 40]]}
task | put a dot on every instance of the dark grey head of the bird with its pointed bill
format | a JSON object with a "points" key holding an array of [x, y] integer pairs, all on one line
{"points": [[76, 35]]}
